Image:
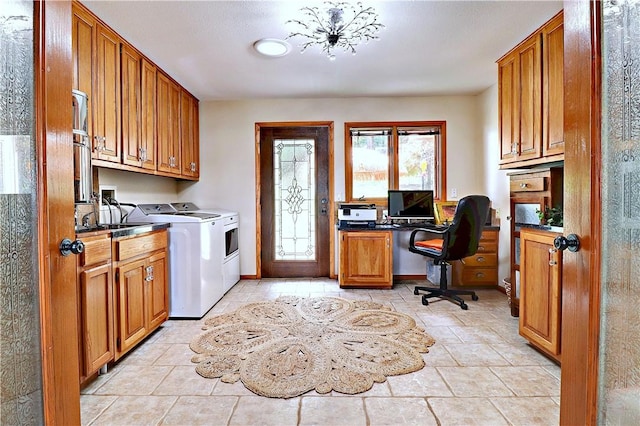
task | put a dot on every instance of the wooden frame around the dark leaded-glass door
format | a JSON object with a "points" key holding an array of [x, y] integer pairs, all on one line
{"points": [[332, 219]]}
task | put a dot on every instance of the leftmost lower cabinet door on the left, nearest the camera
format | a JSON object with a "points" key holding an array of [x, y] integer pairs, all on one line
{"points": [[96, 316]]}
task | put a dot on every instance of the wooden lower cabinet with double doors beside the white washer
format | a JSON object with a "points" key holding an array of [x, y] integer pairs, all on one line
{"points": [[141, 287]]}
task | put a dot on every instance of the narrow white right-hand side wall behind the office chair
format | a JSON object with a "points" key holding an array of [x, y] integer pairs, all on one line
{"points": [[495, 180]]}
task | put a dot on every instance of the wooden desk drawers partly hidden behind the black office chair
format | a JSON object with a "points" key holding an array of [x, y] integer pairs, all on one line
{"points": [[481, 269]]}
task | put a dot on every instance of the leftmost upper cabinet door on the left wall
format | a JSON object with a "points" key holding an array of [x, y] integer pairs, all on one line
{"points": [[83, 39]]}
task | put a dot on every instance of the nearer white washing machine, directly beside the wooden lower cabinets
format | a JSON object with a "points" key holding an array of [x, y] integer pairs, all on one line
{"points": [[196, 255]]}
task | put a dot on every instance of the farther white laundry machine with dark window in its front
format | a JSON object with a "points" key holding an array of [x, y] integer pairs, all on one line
{"points": [[231, 260]]}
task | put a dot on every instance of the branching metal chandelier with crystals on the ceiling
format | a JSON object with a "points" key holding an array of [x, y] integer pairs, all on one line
{"points": [[336, 25]]}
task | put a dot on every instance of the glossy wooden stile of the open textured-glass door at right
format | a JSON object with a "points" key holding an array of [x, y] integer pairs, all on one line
{"points": [[581, 270]]}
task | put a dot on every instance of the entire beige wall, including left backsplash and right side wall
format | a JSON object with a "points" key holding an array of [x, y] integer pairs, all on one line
{"points": [[227, 155]]}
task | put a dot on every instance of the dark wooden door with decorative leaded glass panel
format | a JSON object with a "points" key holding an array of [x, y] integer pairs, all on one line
{"points": [[294, 201]]}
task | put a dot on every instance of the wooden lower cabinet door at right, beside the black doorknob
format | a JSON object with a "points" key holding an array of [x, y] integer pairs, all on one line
{"points": [[540, 291]]}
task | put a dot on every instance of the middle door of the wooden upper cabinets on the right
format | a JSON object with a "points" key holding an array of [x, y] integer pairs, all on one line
{"points": [[530, 99]]}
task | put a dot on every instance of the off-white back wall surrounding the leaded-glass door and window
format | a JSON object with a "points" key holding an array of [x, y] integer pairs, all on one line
{"points": [[227, 147]]}
